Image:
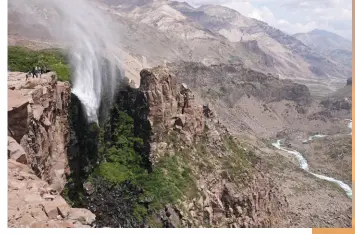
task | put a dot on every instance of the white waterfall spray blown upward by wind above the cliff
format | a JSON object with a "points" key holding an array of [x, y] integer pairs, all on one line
{"points": [[84, 31]]}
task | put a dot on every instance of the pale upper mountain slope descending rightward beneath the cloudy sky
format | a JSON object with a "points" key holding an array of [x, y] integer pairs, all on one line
{"points": [[289, 53]]}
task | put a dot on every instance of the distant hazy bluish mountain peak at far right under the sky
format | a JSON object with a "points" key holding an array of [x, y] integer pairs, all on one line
{"points": [[328, 44]]}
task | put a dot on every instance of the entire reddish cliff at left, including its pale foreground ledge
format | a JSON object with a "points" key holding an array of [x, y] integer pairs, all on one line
{"points": [[38, 137]]}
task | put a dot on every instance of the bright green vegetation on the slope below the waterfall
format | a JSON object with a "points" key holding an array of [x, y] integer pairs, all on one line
{"points": [[121, 161]]}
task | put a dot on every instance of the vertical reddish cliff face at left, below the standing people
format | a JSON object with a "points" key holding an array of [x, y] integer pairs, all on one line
{"points": [[38, 120]]}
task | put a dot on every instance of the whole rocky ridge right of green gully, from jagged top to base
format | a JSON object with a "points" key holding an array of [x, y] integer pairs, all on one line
{"points": [[225, 198]]}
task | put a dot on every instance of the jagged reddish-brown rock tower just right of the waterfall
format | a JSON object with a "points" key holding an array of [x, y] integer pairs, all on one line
{"points": [[171, 106]]}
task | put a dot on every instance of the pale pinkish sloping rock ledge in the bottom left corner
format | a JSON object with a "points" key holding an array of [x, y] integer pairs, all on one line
{"points": [[33, 203]]}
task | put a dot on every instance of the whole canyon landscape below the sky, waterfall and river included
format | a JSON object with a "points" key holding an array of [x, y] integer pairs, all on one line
{"points": [[191, 117]]}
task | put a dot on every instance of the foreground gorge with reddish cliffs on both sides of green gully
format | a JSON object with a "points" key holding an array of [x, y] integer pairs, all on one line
{"points": [[158, 159]]}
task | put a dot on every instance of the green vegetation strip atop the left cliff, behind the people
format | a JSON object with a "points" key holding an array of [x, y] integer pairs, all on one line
{"points": [[23, 59]]}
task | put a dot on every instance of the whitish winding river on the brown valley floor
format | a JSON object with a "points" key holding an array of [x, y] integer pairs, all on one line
{"points": [[304, 165]]}
